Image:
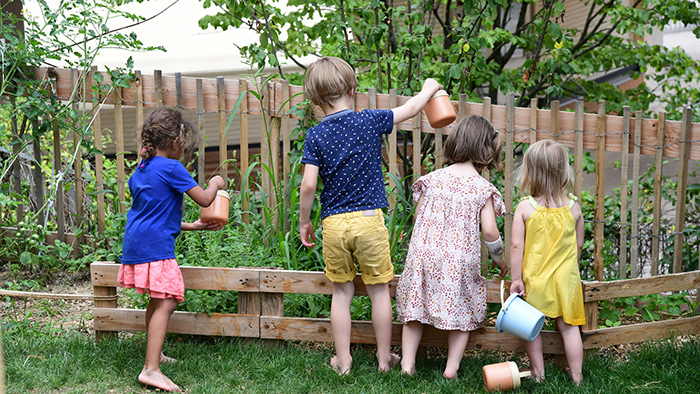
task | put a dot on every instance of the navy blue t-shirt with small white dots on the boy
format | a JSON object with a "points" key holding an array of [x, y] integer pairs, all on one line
{"points": [[347, 148]]}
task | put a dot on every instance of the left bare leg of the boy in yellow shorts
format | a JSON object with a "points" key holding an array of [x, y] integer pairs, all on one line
{"points": [[341, 325]]}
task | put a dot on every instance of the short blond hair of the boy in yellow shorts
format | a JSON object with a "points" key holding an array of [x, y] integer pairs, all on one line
{"points": [[328, 79]]}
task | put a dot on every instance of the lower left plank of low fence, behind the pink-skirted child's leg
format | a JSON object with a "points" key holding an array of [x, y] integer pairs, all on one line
{"points": [[218, 324]]}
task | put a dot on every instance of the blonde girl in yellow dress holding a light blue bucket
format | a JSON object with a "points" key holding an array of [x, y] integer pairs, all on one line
{"points": [[547, 238]]}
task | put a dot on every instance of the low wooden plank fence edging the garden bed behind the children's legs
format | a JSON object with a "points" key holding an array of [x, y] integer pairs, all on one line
{"points": [[261, 309]]}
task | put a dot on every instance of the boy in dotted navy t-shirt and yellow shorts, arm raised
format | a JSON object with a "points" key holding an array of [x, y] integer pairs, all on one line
{"points": [[345, 151]]}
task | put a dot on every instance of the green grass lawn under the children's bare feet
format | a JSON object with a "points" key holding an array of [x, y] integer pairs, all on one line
{"points": [[40, 362]]}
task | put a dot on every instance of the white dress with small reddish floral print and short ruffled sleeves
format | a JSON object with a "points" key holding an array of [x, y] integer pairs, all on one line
{"points": [[441, 284]]}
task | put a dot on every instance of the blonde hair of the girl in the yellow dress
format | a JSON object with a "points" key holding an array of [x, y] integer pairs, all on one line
{"points": [[546, 172]]}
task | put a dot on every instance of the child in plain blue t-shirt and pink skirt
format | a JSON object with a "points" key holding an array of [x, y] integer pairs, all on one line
{"points": [[153, 222]]}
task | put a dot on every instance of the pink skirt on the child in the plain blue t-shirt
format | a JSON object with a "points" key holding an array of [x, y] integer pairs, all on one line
{"points": [[161, 279]]}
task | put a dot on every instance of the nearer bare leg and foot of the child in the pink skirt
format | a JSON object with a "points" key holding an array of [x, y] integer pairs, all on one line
{"points": [[157, 322]]}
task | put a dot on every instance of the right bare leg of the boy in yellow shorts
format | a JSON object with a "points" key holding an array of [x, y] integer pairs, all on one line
{"points": [[382, 318]]}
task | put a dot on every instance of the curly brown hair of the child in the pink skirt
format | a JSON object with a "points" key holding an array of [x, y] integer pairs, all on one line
{"points": [[163, 128]]}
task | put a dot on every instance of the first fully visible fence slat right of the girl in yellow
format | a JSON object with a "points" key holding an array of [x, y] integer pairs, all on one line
{"points": [[599, 215]]}
